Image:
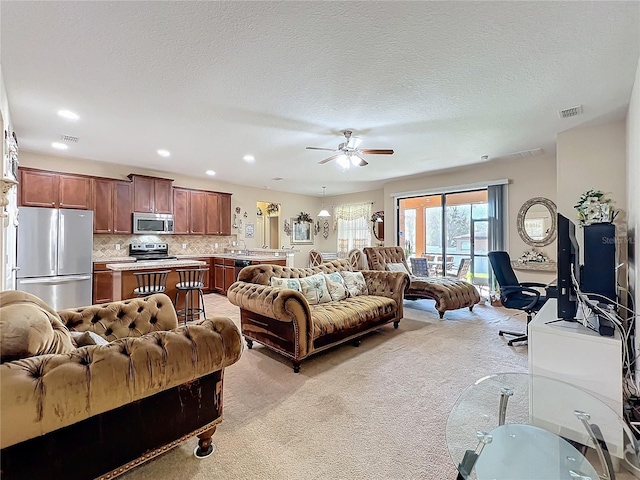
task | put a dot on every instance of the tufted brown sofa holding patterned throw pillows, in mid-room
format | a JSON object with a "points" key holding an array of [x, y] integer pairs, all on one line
{"points": [[283, 320]]}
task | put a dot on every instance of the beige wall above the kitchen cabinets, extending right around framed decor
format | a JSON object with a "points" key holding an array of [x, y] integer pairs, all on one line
{"points": [[244, 197]]}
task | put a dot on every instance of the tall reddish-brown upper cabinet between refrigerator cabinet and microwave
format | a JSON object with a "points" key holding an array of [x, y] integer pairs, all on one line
{"points": [[112, 206]]}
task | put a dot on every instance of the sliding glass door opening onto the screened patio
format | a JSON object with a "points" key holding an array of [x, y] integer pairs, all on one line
{"points": [[450, 230]]}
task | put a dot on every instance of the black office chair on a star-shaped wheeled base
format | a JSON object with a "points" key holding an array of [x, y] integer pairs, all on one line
{"points": [[516, 295]]}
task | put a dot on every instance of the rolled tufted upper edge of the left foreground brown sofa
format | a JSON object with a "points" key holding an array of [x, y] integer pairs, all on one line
{"points": [[47, 392]]}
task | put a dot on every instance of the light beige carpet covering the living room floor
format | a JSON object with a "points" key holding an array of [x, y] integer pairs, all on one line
{"points": [[377, 411]]}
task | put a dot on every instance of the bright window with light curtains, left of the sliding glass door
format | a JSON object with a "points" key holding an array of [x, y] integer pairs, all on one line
{"points": [[351, 221]]}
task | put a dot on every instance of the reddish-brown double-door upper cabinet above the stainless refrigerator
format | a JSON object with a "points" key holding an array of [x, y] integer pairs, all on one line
{"points": [[40, 188]]}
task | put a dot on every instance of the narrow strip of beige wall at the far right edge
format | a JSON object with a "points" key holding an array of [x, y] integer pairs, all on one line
{"points": [[633, 196]]}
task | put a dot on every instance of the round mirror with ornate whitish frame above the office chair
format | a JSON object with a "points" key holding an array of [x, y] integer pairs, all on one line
{"points": [[537, 222]]}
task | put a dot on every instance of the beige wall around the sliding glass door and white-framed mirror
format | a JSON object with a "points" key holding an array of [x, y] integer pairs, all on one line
{"points": [[527, 179]]}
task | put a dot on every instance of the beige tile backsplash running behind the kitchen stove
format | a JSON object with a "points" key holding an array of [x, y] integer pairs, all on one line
{"points": [[104, 246]]}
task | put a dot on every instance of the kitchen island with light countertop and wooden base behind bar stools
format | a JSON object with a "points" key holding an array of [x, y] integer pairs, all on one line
{"points": [[124, 281]]}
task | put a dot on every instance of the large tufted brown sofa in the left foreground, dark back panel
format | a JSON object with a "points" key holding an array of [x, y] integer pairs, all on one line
{"points": [[99, 410]]}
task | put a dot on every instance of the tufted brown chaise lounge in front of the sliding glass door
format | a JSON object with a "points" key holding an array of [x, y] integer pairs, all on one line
{"points": [[449, 294]]}
